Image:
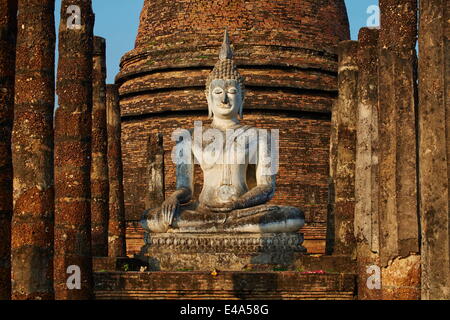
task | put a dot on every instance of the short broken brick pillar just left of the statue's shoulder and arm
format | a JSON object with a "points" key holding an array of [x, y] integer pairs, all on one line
{"points": [[155, 152]]}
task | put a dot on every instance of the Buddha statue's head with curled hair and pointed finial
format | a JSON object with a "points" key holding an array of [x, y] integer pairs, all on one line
{"points": [[225, 86]]}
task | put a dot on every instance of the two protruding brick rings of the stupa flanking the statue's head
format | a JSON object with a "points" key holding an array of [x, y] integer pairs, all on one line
{"points": [[274, 89]]}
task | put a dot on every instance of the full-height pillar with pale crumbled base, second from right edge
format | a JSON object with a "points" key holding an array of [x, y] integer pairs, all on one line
{"points": [[398, 208]]}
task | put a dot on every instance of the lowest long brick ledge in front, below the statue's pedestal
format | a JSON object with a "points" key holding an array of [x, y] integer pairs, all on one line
{"points": [[226, 285]]}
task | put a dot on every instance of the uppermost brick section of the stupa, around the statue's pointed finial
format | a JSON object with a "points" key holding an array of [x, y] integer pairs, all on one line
{"points": [[184, 34]]}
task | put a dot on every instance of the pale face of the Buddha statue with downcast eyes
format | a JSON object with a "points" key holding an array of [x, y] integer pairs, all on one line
{"points": [[225, 98]]}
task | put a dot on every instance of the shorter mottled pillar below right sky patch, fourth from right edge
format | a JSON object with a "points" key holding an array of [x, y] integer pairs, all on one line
{"points": [[344, 175]]}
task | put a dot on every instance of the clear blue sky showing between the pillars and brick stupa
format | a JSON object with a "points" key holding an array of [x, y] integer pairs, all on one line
{"points": [[118, 20]]}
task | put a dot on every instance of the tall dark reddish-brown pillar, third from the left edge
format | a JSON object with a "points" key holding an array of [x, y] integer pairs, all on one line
{"points": [[73, 151]]}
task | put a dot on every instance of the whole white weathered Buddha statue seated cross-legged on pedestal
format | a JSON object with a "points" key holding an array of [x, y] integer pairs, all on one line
{"points": [[226, 203]]}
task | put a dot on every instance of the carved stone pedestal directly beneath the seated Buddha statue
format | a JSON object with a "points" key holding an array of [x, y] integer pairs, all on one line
{"points": [[233, 252]]}
